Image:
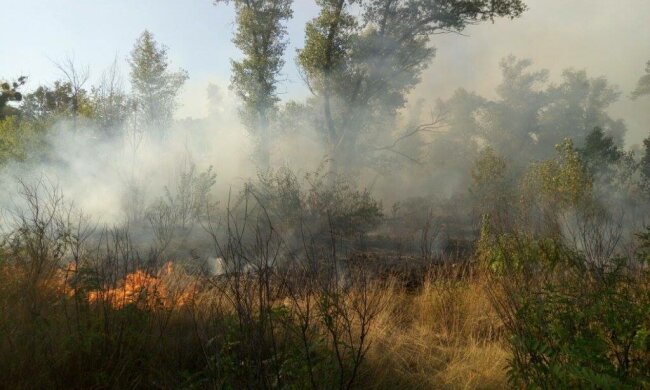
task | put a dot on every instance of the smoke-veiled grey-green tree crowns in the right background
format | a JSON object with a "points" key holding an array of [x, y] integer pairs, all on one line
{"points": [[529, 116]]}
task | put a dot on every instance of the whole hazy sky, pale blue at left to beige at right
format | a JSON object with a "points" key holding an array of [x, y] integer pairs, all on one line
{"points": [[605, 37]]}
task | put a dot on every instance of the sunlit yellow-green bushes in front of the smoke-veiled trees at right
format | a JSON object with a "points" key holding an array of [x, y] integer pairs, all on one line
{"points": [[535, 202]]}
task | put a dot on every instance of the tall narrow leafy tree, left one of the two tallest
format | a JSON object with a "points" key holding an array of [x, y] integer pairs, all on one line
{"points": [[261, 38]]}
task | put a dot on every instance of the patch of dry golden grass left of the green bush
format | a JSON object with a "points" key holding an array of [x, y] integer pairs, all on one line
{"points": [[444, 336]]}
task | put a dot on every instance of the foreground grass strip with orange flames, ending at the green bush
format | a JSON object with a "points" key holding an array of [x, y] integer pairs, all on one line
{"points": [[171, 328]]}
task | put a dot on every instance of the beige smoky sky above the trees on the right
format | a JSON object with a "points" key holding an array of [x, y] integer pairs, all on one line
{"points": [[605, 38]]}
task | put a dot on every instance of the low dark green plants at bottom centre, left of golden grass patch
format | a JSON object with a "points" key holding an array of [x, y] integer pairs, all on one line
{"points": [[235, 354]]}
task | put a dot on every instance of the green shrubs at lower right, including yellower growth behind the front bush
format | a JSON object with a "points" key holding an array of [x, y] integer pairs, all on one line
{"points": [[571, 323]]}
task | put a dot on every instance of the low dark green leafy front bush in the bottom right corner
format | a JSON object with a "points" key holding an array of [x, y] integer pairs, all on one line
{"points": [[581, 331]]}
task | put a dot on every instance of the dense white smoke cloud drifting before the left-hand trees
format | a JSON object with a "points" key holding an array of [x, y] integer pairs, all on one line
{"points": [[99, 175]]}
